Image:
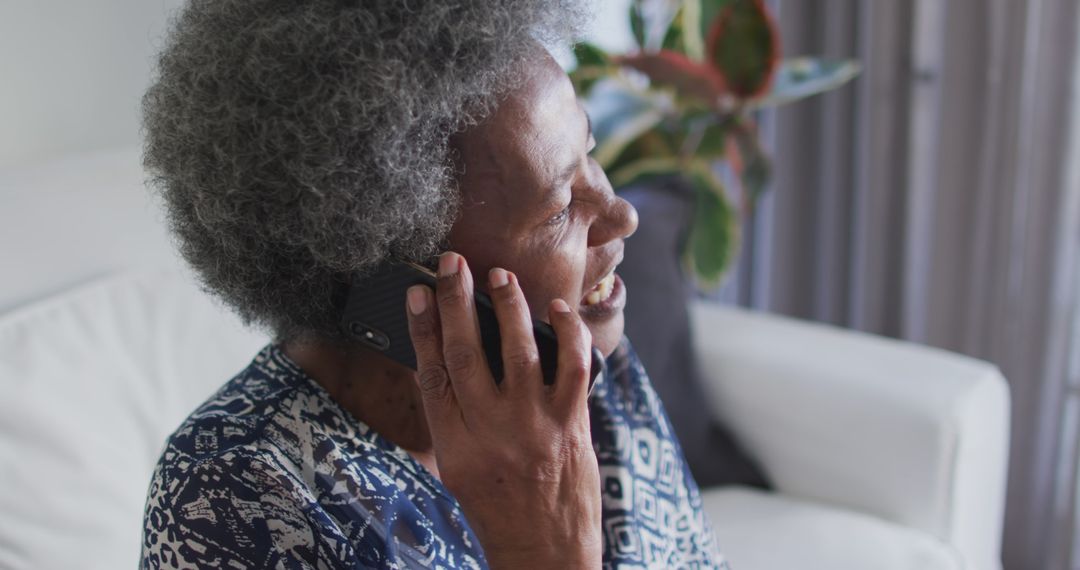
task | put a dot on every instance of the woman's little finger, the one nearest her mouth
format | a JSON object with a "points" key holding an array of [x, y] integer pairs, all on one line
{"points": [[575, 357]]}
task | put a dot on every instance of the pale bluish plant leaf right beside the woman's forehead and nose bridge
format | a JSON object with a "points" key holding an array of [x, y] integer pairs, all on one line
{"points": [[619, 115]]}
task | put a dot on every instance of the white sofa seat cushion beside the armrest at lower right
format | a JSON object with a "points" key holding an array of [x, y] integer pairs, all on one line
{"points": [[760, 531]]}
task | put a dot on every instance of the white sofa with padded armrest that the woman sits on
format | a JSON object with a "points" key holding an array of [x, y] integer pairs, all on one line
{"points": [[885, 455]]}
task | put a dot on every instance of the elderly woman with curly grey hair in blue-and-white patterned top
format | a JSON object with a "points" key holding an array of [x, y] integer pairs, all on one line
{"points": [[300, 144]]}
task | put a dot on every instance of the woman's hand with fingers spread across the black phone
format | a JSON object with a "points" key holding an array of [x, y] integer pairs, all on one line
{"points": [[518, 456]]}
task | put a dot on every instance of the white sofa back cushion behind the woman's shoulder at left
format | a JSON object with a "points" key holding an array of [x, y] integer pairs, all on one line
{"points": [[93, 381]]}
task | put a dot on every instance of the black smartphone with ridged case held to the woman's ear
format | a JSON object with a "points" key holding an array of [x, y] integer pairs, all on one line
{"points": [[375, 317]]}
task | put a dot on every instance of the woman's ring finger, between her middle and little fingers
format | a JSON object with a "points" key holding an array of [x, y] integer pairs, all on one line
{"points": [[521, 360]]}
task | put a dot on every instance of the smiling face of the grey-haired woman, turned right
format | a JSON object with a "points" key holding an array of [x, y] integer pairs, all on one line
{"points": [[535, 203]]}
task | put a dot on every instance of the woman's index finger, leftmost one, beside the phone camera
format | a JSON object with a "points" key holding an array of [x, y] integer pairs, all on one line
{"points": [[440, 403]]}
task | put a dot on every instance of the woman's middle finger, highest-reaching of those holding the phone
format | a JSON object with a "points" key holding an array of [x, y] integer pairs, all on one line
{"points": [[463, 350]]}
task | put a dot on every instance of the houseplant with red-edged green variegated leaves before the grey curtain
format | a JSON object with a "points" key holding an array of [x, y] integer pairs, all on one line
{"points": [[684, 104]]}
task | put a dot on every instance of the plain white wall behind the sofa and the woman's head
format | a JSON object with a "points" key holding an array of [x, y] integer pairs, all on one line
{"points": [[73, 72]]}
